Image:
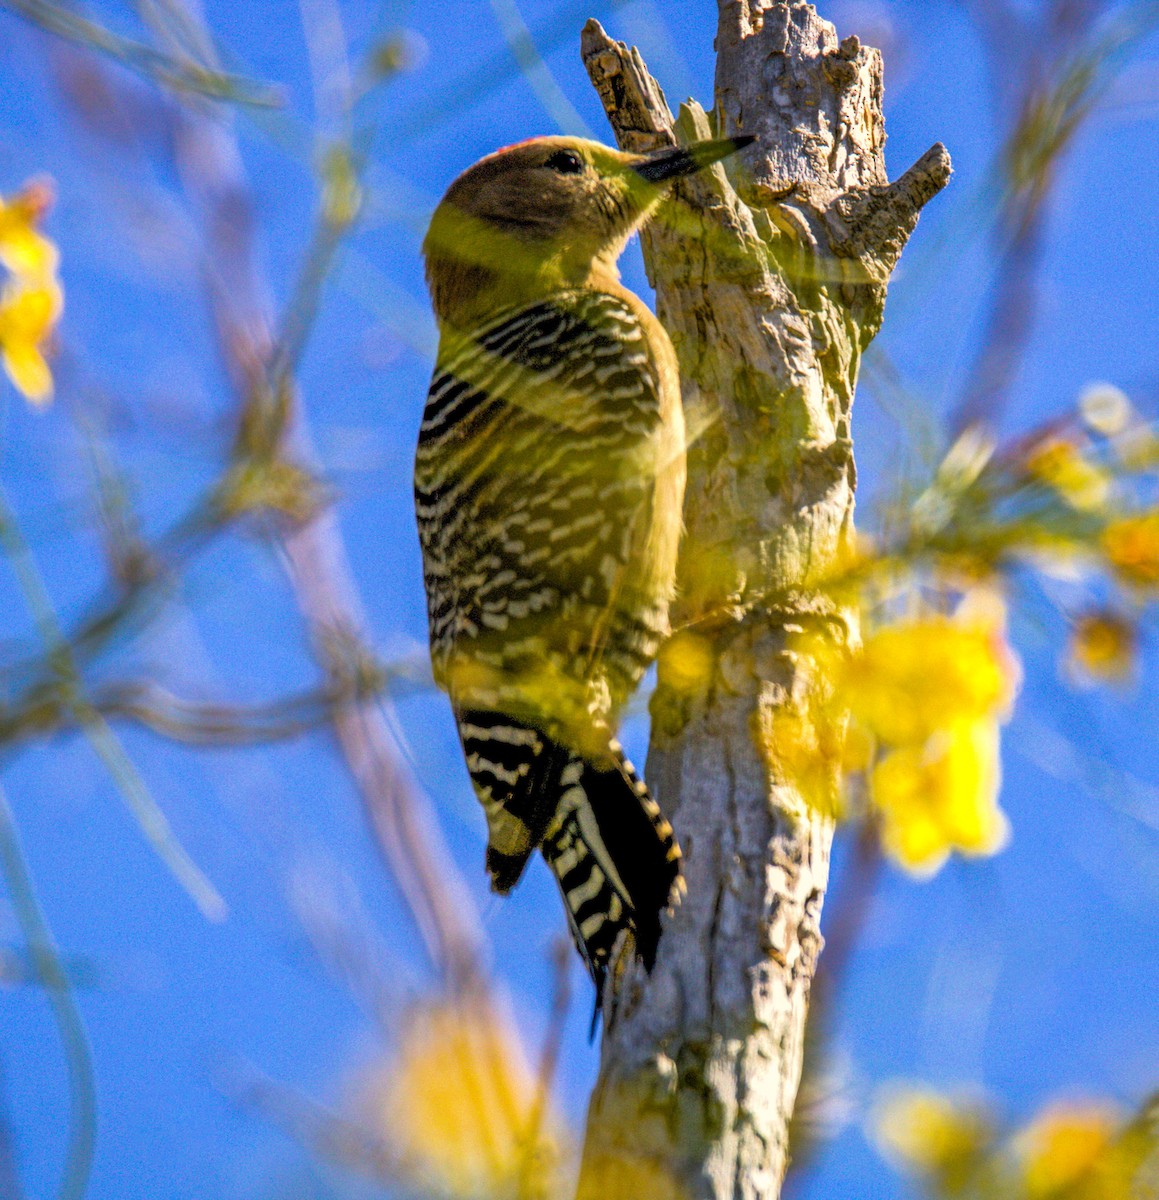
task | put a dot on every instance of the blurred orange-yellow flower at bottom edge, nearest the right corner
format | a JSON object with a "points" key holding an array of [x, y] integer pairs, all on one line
{"points": [[1065, 1144]]}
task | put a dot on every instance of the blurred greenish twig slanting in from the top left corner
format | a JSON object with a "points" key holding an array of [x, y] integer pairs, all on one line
{"points": [[182, 77]]}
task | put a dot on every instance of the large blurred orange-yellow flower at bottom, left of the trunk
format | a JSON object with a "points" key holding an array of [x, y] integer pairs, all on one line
{"points": [[460, 1102]]}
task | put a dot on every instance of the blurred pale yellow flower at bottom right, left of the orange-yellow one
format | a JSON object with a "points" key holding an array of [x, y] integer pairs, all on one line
{"points": [[927, 1132]]}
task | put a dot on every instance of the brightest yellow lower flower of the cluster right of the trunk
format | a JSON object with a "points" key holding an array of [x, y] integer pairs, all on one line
{"points": [[940, 797]]}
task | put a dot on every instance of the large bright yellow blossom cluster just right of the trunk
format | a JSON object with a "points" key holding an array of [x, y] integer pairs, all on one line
{"points": [[918, 709]]}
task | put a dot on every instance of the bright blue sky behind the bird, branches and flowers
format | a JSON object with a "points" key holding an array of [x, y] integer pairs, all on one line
{"points": [[1034, 975]]}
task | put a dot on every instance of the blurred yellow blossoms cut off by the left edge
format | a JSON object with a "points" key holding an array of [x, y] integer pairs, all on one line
{"points": [[31, 298]]}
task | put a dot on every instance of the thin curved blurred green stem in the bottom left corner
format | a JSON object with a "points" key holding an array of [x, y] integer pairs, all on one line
{"points": [[82, 1084]]}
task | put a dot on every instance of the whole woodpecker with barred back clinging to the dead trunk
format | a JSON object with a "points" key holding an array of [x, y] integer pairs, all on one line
{"points": [[549, 489]]}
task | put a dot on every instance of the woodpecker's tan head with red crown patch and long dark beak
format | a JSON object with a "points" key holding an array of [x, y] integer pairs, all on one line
{"points": [[547, 214]]}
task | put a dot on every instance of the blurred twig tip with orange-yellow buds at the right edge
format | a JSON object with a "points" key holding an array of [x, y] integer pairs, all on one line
{"points": [[1073, 500]]}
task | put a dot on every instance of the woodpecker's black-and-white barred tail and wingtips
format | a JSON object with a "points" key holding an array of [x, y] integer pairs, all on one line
{"points": [[603, 835]]}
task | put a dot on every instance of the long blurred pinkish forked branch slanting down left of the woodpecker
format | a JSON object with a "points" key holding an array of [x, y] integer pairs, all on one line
{"points": [[319, 567]]}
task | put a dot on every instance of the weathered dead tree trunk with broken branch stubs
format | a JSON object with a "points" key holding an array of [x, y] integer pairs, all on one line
{"points": [[771, 277]]}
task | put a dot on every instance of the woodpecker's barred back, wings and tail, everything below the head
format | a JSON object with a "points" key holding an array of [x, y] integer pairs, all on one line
{"points": [[549, 509]]}
